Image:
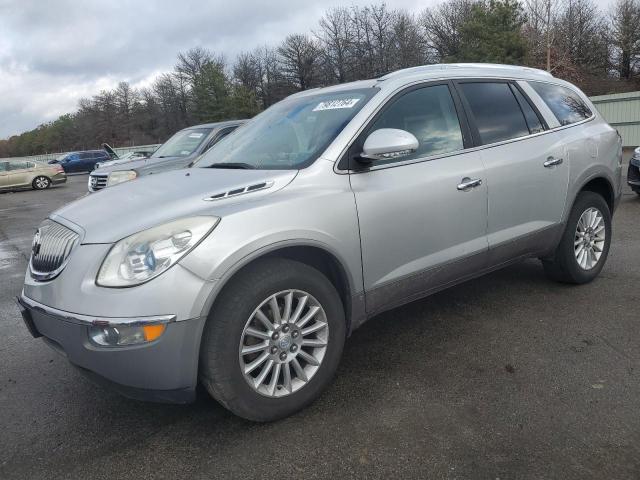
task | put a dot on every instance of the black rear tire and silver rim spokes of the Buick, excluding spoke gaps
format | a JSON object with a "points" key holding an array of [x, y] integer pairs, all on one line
{"points": [[564, 265]]}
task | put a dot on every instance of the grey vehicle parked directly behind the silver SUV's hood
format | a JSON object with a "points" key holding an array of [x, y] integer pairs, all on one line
{"points": [[180, 151]]}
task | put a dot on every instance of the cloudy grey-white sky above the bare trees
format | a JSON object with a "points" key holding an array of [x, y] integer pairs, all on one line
{"points": [[54, 52]]}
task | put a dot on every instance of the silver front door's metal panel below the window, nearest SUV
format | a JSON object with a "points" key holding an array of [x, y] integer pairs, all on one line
{"points": [[414, 221]]}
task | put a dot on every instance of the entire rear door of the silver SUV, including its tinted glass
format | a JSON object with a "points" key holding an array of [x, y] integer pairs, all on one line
{"points": [[527, 170]]}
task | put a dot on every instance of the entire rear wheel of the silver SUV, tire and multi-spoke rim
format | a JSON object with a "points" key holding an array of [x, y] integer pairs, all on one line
{"points": [[584, 246]]}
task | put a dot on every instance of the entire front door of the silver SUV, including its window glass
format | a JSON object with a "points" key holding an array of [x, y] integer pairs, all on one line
{"points": [[418, 230]]}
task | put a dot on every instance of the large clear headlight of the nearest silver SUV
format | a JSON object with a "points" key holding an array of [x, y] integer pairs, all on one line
{"points": [[145, 255]]}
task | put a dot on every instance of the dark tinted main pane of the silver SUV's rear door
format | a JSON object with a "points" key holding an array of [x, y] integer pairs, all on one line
{"points": [[495, 111]]}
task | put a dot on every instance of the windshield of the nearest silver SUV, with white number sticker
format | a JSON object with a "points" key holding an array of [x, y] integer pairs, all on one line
{"points": [[290, 134]]}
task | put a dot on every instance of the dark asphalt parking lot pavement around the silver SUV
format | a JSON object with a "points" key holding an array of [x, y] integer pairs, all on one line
{"points": [[506, 376]]}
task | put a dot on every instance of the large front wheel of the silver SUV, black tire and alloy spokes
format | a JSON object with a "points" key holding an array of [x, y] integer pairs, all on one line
{"points": [[221, 367]]}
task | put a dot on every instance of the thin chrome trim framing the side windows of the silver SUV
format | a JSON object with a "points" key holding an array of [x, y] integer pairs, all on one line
{"points": [[392, 94]]}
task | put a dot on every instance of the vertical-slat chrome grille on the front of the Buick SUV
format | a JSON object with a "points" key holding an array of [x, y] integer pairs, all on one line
{"points": [[51, 247]]}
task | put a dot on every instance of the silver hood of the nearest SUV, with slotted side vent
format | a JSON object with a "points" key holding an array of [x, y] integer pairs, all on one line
{"points": [[119, 211]]}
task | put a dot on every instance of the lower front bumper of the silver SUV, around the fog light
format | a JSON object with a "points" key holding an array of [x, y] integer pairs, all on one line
{"points": [[162, 370]]}
